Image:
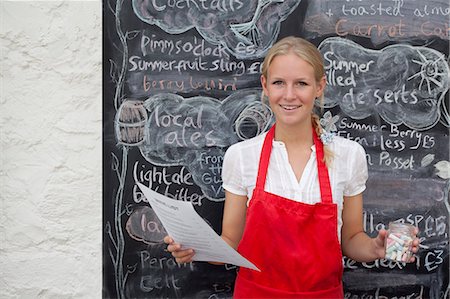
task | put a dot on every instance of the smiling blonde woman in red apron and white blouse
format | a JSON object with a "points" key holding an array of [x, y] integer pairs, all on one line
{"points": [[293, 206]]}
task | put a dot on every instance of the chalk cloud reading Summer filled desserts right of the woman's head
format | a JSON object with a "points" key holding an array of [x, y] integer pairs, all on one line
{"points": [[403, 84]]}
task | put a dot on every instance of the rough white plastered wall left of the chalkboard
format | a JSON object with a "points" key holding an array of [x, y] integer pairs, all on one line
{"points": [[51, 149]]}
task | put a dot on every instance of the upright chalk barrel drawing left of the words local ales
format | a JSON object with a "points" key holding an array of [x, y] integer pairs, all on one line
{"points": [[129, 123]]}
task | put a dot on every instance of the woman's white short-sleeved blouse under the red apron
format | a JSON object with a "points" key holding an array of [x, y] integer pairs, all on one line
{"points": [[348, 172]]}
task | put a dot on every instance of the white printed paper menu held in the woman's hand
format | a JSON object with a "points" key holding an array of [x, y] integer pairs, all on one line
{"points": [[186, 227]]}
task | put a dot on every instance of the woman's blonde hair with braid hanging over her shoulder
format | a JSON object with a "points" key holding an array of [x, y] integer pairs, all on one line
{"points": [[309, 53]]}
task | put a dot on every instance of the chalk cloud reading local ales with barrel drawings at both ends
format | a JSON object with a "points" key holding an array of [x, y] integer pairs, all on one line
{"points": [[182, 131]]}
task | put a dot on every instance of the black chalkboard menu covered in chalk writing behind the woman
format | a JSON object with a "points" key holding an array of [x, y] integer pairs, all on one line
{"points": [[181, 84]]}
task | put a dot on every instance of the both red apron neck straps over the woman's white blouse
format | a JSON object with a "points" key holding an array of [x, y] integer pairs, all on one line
{"points": [[324, 180]]}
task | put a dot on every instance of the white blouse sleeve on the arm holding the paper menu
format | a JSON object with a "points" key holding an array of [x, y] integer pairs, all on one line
{"points": [[232, 171]]}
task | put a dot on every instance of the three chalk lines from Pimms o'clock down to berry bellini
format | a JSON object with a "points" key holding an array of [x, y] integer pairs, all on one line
{"points": [[157, 62]]}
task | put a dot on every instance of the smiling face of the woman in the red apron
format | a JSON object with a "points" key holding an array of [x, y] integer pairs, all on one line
{"points": [[291, 86]]}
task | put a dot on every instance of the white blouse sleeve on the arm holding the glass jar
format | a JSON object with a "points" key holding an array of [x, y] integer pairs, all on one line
{"points": [[358, 172]]}
